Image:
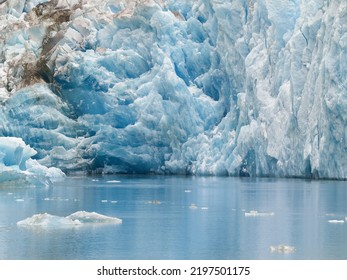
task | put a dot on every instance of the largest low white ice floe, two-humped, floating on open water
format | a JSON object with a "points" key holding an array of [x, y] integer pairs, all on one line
{"points": [[78, 218]]}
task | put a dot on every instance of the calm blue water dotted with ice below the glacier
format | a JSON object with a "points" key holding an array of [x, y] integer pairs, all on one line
{"points": [[179, 218]]}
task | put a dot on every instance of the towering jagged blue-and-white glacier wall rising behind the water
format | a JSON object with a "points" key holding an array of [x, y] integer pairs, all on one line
{"points": [[211, 87]]}
